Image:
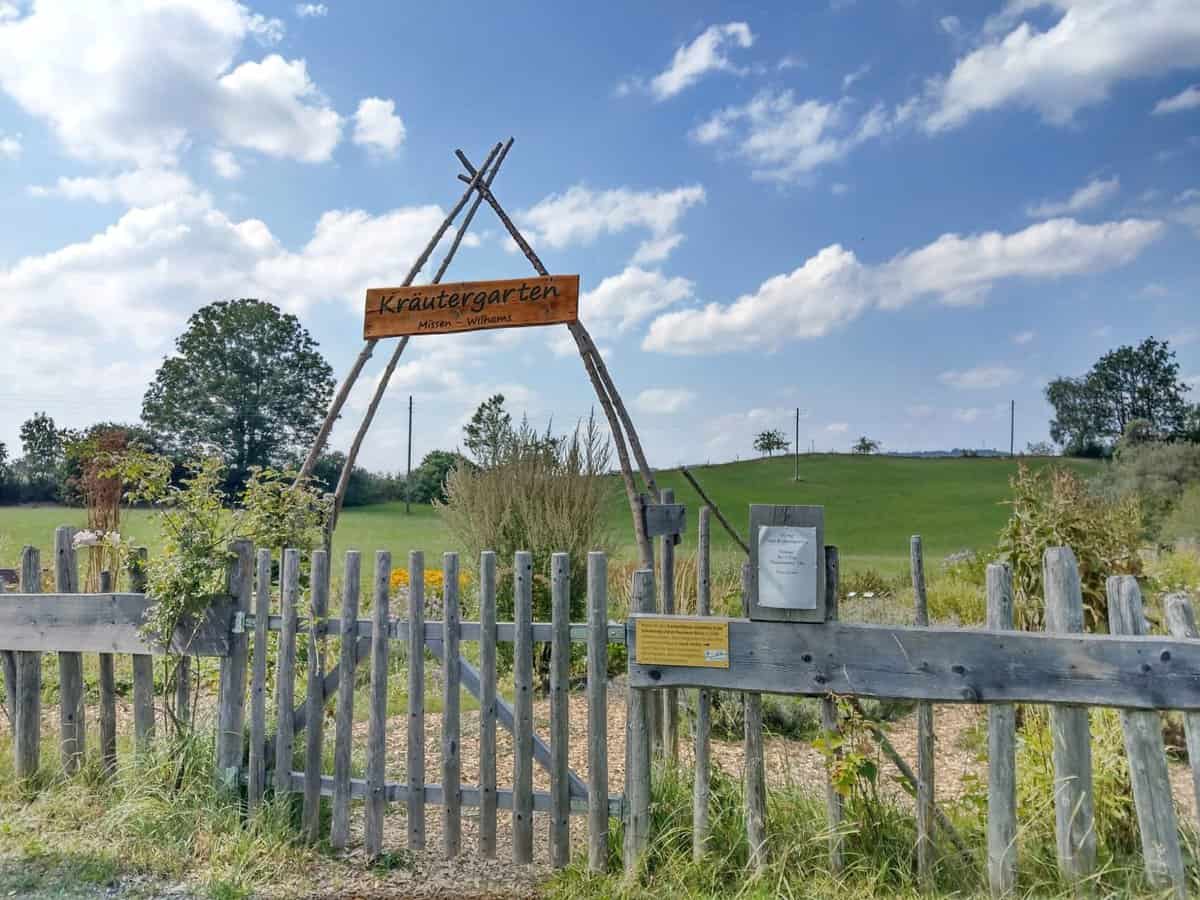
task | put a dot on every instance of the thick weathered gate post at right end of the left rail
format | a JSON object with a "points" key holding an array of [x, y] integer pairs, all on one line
{"points": [[232, 686]]}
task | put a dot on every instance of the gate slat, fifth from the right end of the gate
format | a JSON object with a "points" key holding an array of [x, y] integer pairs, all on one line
{"points": [[452, 700]]}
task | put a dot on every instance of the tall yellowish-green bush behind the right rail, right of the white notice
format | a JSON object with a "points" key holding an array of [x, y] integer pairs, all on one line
{"points": [[1053, 508]]}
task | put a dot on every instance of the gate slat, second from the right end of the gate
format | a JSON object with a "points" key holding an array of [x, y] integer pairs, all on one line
{"points": [[560, 711]]}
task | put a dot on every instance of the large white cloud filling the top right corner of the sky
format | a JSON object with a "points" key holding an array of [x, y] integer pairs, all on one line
{"points": [[1093, 46]]}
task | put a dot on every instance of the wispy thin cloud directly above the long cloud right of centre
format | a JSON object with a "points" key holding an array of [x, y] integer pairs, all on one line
{"points": [[784, 141]]}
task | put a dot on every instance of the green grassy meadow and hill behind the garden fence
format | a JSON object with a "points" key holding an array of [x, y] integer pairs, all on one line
{"points": [[873, 506]]}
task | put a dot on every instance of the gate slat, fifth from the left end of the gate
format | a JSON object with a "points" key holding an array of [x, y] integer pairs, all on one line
{"points": [[377, 721]]}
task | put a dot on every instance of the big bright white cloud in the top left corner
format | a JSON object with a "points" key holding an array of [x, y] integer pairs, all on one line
{"points": [[133, 82]]}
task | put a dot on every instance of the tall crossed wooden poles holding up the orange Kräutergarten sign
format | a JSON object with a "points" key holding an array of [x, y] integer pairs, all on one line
{"points": [[479, 183]]}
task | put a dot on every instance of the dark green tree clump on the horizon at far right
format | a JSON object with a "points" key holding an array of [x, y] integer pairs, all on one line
{"points": [[1126, 385]]}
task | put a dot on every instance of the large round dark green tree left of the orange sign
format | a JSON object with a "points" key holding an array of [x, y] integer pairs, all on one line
{"points": [[247, 383]]}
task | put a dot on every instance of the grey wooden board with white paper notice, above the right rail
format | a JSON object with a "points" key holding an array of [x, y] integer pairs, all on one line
{"points": [[788, 563]]}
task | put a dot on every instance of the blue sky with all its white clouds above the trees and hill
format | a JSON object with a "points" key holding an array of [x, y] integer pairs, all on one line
{"points": [[896, 215]]}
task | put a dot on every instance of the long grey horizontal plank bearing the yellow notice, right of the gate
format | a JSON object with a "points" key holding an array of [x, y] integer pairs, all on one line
{"points": [[946, 667]]}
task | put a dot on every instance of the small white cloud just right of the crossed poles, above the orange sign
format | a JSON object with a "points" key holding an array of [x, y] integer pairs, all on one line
{"points": [[581, 215]]}
